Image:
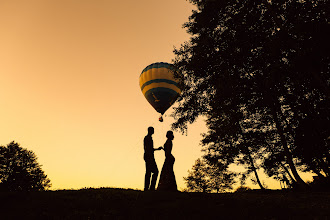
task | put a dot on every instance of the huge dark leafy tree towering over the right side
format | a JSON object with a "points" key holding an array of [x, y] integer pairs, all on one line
{"points": [[255, 58]]}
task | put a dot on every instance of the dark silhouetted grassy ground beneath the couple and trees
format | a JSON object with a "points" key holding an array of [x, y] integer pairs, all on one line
{"points": [[108, 203]]}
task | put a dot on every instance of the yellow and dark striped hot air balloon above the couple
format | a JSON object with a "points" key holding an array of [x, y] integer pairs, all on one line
{"points": [[159, 86]]}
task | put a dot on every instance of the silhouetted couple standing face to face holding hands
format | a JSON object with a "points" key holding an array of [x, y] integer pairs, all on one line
{"points": [[167, 178]]}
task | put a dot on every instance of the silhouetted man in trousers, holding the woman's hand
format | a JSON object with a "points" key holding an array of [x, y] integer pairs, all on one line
{"points": [[149, 158]]}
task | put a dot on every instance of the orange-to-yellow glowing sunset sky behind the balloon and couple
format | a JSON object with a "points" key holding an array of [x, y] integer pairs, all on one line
{"points": [[69, 87]]}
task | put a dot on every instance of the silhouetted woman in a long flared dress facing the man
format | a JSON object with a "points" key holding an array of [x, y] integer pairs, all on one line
{"points": [[167, 180]]}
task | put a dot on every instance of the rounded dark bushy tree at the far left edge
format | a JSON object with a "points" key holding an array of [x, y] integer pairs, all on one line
{"points": [[20, 171]]}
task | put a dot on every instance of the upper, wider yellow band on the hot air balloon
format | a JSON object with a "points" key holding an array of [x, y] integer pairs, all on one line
{"points": [[156, 73]]}
